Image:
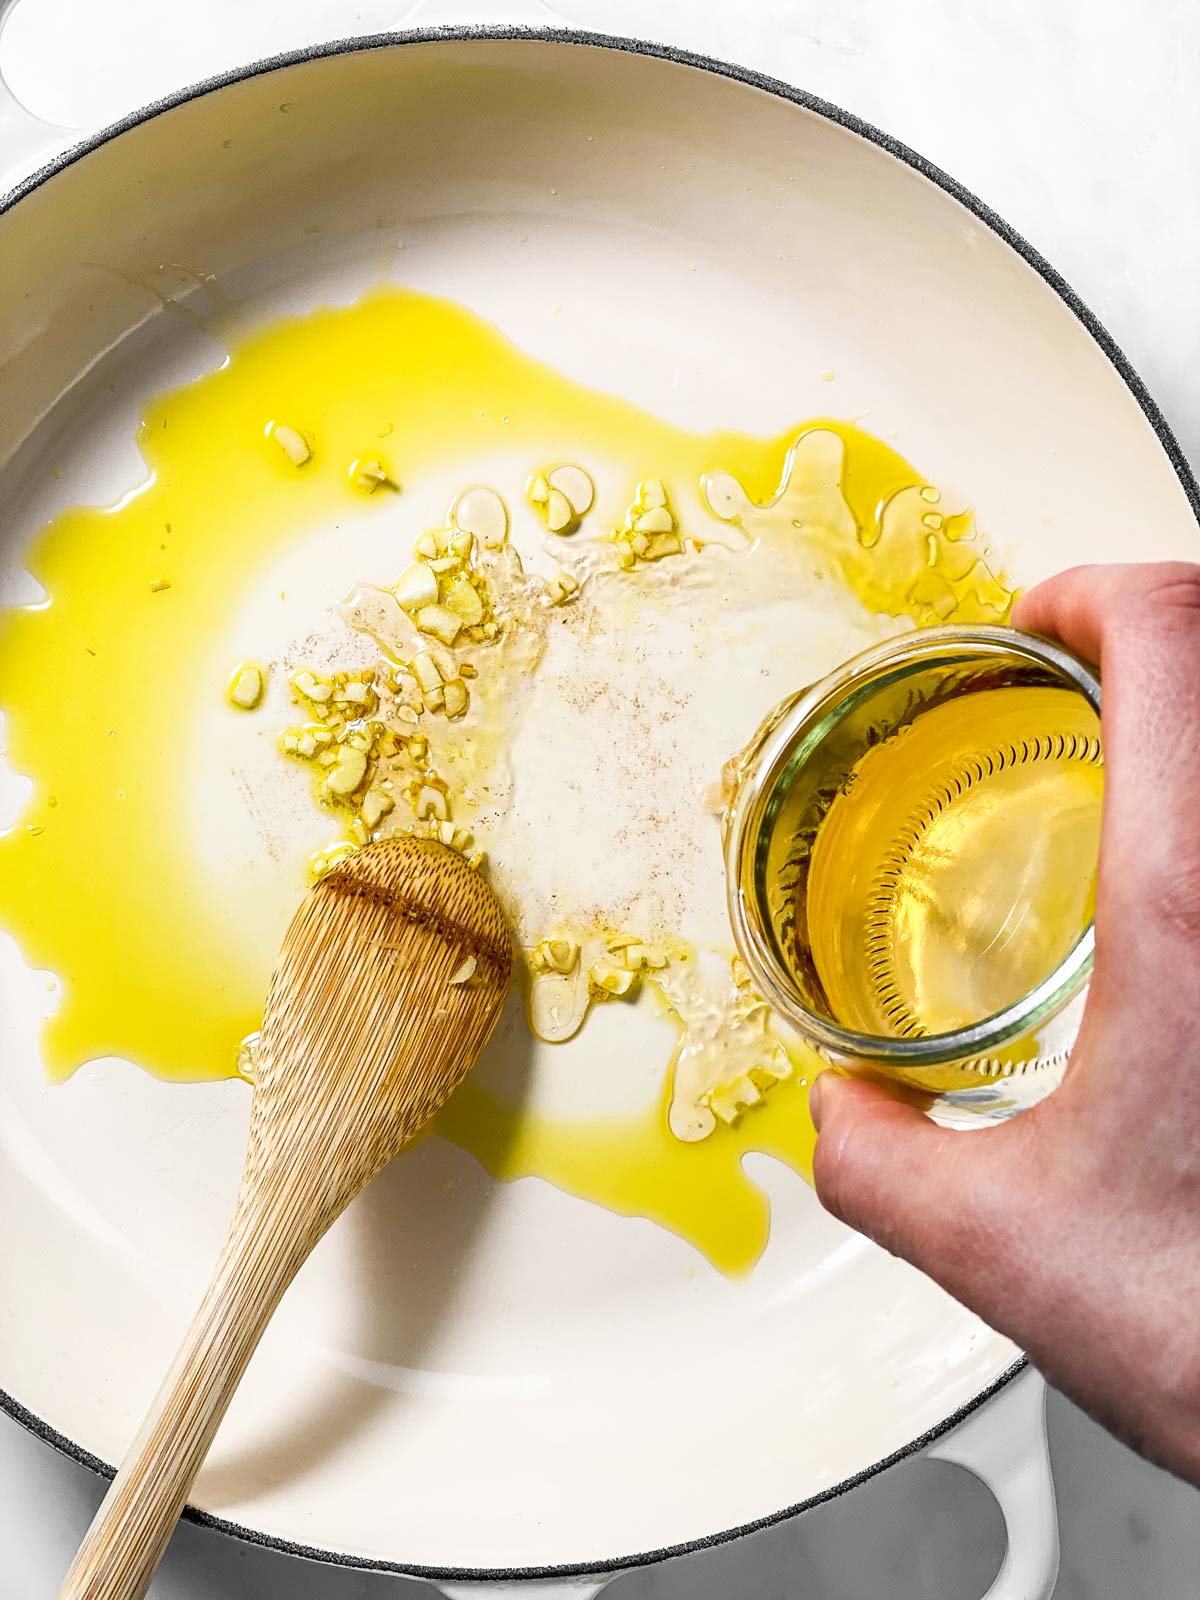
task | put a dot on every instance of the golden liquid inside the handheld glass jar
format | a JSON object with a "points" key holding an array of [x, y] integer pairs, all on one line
{"points": [[958, 866]]}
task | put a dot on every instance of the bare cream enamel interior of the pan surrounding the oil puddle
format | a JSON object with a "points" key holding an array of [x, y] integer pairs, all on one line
{"points": [[524, 1380]]}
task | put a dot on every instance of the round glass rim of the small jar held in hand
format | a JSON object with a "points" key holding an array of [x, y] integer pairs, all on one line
{"points": [[950, 646]]}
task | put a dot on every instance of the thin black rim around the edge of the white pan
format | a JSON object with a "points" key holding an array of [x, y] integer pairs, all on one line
{"points": [[1055, 281]]}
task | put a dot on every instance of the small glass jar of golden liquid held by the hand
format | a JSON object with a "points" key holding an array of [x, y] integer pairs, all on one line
{"points": [[911, 852]]}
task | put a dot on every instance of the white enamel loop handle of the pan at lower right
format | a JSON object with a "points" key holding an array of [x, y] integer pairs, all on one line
{"points": [[1004, 1444]]}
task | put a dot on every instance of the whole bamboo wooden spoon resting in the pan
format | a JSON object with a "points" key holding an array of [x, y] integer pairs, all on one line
{"points": [[388, 986]]}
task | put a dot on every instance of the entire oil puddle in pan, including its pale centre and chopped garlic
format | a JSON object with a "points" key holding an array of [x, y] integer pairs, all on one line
{"points": [[386, 572]]}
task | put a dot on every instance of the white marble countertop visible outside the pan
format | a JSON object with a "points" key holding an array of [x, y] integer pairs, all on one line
{"points": [[1079, 122]]}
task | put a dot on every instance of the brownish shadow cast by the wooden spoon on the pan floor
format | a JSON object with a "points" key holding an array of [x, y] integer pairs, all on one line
{"points": [[414, 1234]]}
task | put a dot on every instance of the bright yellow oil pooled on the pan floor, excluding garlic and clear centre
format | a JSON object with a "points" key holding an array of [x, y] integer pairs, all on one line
{"points": [[166, 964]]}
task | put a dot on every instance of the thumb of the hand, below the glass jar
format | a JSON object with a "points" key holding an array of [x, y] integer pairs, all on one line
{"points": [[943, 1199]]}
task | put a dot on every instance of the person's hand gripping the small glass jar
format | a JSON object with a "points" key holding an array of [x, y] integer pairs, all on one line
{"points": [[1076, 1228]]}
